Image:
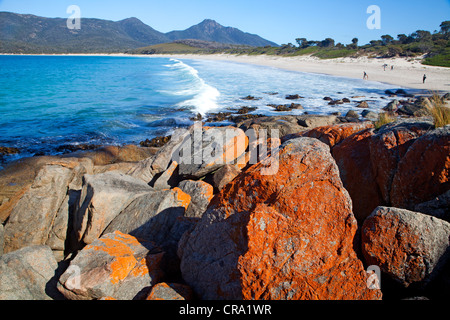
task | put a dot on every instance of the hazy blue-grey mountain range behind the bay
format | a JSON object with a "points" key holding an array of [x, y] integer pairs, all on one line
{"points": [[25, 33]]}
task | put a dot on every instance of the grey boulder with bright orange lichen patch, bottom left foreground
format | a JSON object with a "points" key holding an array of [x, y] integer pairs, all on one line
{"points": [[116, 265]]}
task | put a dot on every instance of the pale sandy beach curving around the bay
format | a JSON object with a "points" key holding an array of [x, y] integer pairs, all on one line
{"points": [[406, 74]]}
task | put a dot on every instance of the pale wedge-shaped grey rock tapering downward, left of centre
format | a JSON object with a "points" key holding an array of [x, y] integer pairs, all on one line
{"points": [[102, 198]]}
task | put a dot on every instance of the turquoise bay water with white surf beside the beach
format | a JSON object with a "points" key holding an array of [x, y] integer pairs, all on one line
{"points": [[47, 102]]}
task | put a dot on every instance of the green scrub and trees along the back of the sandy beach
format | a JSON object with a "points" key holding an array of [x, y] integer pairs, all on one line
{"points": [[434, 47]]}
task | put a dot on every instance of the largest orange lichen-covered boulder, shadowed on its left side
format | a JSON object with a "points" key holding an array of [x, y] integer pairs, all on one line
{"points": [[283, 236]]}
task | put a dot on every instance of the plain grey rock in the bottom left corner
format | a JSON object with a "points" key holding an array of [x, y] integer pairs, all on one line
{"points": [[25, 274]]}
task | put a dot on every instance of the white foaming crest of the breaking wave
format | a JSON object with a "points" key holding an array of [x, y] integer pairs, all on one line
{"points": [[202, 96]]}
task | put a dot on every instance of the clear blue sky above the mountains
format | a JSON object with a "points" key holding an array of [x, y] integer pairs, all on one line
{"points": [[281, 21]]}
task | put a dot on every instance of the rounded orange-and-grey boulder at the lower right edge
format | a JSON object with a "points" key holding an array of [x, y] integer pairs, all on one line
{"points": [[408, 246]]}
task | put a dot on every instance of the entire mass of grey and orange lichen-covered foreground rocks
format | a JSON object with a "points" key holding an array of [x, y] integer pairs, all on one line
{"points": [[284, 207]]}
